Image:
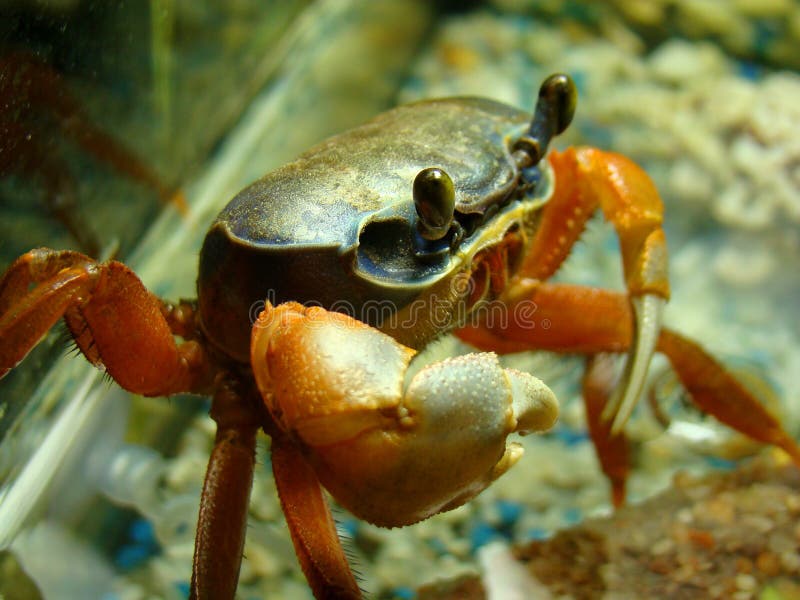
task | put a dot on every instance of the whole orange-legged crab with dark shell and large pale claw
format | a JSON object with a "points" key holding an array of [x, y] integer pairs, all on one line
{"points": [[320, 284]]}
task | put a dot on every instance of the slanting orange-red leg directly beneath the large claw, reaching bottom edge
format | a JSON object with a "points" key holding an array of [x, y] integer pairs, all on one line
{"points": [[310, 523]]}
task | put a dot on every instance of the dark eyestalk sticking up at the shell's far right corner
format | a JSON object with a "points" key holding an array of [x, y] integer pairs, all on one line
{"points": [[554, 111]]}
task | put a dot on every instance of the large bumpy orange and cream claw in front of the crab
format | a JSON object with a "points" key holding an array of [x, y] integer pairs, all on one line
{"points": [[390, 451]]}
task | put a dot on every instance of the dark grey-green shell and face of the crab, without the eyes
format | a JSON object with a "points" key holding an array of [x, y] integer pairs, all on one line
{"points": [[336, 227]]}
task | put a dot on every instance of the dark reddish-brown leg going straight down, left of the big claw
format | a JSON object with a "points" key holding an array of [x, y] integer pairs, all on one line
{"points": [[222, 521]]}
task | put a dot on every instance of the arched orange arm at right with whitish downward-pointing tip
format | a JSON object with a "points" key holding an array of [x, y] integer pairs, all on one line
{"points": [[587, 179]]}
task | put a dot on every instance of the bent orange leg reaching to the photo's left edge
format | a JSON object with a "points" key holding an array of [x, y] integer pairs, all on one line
{"points": [[115, 321]]}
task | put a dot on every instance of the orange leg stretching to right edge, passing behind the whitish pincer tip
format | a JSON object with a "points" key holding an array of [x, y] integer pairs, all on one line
{"points": [[583, 320]]}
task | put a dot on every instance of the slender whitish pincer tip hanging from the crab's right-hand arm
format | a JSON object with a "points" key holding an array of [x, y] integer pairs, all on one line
{"points": [[648, 310]]}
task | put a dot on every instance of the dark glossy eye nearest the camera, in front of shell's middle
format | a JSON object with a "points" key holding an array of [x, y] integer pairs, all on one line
{"points": [[435, 201]]}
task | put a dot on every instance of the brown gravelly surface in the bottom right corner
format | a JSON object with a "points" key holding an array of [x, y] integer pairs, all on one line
{"points": [[722, 535]]}
